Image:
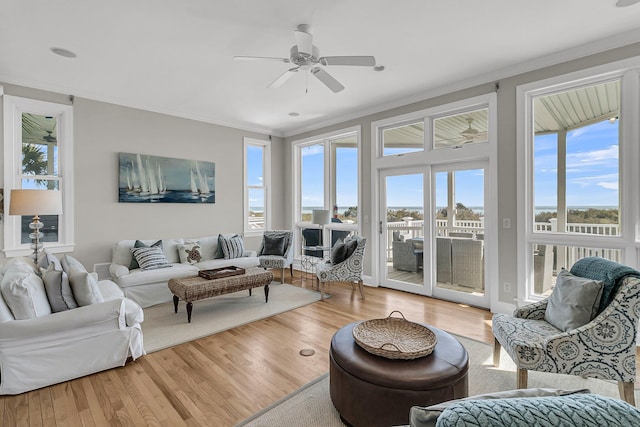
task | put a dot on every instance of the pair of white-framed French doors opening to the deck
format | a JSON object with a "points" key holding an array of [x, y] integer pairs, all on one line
{"points": [[432, 231]]}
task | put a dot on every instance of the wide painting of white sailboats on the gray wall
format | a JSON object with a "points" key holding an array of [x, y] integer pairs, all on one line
{"points": [[154, 179]]}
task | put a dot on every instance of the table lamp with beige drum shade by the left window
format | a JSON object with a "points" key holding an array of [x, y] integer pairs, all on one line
{"points": [[35, 202]]}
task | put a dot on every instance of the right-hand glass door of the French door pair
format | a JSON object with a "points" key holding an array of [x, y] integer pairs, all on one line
{"points": [[458, 238]]}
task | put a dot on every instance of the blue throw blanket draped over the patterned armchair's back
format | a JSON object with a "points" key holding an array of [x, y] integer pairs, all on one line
{"points": [[609, 272]]}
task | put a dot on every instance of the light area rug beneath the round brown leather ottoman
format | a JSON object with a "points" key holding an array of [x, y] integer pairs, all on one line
{"points": [[311, 404]]}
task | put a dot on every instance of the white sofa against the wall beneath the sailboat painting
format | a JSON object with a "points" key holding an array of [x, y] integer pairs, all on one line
{"points": [[149, 287]]}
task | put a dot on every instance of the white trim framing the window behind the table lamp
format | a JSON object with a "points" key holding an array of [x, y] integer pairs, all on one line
{"points": [[13, 108]]}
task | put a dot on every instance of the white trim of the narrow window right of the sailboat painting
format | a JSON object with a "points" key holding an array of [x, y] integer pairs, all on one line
{"points": [[266, 185]]}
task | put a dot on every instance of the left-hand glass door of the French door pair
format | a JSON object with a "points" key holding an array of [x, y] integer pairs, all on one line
{"points": [[402, 230]]}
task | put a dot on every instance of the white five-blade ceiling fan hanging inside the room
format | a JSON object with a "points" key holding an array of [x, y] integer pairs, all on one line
{"points": [[305, 56]]}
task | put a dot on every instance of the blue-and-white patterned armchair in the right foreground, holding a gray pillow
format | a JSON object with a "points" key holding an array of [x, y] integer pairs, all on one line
{"points": [[604, 348]]}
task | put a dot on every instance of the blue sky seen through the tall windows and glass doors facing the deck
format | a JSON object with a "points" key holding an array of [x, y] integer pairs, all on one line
{"points": [[592, 174]]}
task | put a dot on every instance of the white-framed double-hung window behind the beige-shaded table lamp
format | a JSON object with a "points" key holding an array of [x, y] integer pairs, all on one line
{"points": [[38, 154]]}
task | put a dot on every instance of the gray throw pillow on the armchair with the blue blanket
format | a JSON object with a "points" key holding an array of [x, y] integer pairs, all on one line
{"points": [[574, 301]]}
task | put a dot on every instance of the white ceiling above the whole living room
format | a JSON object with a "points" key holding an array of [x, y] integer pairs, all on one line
{"points": [[175, 56]]}
